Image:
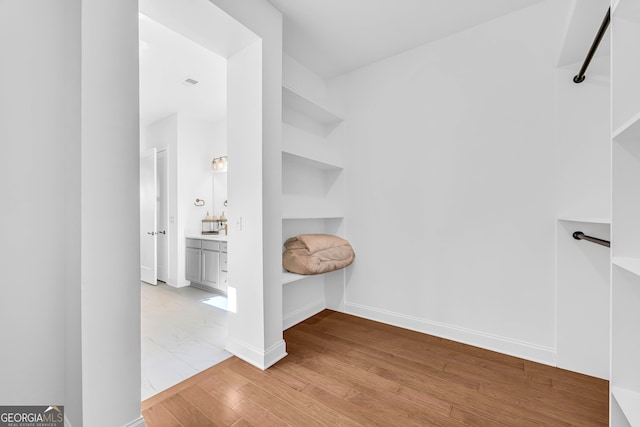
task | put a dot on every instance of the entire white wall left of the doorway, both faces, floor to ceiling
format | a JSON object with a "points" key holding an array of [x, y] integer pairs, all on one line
{"points": [[67, 217]]}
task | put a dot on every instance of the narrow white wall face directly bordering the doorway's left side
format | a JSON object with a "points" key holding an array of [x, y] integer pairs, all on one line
{"points": [[110, 221]]}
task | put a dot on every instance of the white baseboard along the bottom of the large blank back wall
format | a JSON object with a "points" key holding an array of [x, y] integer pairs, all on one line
{"points": [[524, 350]]}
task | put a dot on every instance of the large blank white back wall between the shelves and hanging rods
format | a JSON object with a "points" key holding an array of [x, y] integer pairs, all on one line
{"points": [[451, 182]]}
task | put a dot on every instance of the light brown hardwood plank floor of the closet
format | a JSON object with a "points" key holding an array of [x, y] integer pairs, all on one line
{"points": [[346, 371]]}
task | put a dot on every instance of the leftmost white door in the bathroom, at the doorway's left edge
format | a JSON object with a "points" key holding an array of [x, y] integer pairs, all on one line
{"points": [[148, 217]]}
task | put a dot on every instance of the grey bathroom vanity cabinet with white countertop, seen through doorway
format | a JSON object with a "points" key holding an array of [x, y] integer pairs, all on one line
{"points": [[206, 262]]}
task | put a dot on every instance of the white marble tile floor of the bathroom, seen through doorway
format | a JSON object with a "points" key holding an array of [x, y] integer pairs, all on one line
{"points": [[183, 332]]}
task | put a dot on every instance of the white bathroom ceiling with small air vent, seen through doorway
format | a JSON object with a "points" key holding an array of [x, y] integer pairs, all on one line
{"points": [[166, 60]]}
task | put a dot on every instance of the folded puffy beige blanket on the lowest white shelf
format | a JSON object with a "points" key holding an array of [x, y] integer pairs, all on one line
{"points": [[316, 254]]}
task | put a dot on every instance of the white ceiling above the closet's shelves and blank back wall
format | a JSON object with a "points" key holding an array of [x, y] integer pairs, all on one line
{"points": [[332, 37]]}
